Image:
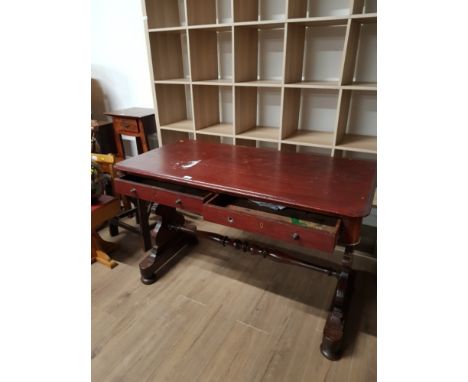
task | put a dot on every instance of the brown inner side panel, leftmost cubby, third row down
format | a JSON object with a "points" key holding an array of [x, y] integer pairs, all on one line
{"points": [[171, 103]]}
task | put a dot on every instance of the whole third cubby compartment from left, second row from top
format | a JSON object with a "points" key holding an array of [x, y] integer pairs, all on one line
{"points": [[258, 52]]}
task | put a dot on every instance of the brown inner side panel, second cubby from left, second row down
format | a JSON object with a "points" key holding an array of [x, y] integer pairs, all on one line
{"points": [[203, 54]]}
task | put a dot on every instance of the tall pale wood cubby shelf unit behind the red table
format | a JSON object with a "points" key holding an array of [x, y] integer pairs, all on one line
{"points": [[289, 75]]}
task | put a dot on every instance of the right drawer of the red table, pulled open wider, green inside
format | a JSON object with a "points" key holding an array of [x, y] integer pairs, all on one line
{"points": [[288, 225]]}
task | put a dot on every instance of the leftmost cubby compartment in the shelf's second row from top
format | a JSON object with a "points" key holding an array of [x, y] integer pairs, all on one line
{"points": [[169, 56]]}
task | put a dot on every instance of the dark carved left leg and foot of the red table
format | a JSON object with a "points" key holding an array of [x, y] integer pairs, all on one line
{"points": [[167, 243]]}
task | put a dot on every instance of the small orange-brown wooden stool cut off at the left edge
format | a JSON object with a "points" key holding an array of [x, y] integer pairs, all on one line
{"points": [[104, 209]]}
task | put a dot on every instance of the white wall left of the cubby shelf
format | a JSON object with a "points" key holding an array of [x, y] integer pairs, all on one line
{"points": [[119, 64]]}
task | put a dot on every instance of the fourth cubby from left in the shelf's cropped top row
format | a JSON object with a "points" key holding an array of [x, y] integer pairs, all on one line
{"points": [[318, 8]]}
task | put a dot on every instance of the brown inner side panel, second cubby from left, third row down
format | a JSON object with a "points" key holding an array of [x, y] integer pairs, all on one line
{"points": [[205, 106]]}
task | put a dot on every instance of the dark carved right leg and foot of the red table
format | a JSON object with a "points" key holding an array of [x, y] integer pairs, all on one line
{"points": [[332, 341]]}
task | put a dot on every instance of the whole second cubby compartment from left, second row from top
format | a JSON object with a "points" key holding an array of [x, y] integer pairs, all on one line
{"points": [[211, 54]]}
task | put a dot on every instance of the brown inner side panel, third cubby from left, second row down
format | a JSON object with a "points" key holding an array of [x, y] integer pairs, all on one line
{"points": [[245, 52]]}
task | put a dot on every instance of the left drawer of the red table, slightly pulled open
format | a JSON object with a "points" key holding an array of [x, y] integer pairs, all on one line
{"points": [[169, 194]]}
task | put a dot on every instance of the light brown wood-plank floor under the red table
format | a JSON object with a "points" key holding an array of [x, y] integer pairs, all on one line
{"points": [[222, 315]]}
